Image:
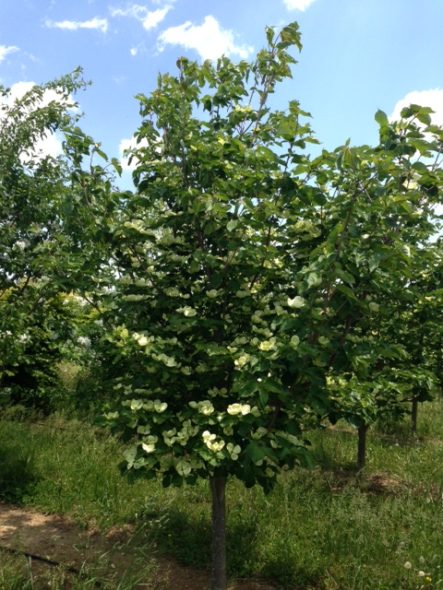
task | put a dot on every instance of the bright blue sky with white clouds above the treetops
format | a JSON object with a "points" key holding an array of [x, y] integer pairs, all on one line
{"points": [[358, 55]]}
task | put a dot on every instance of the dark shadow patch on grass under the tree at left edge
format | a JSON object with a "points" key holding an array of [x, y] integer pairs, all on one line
{"points": [[17, 472]]}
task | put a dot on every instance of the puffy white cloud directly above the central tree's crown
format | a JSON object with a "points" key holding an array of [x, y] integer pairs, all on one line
{"points": [[208, 39]]}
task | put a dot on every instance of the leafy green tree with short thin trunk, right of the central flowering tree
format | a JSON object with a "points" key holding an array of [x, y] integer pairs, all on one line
{"points": [[380, 223]]}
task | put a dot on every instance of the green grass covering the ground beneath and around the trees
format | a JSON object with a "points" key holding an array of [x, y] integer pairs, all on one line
{"points": [[324, 529]]}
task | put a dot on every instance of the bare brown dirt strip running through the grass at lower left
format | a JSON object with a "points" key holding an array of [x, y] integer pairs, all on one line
{"points": [[60, 541]]}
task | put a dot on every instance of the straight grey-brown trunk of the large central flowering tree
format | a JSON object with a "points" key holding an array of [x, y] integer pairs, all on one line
{"points": [[218, 486]]}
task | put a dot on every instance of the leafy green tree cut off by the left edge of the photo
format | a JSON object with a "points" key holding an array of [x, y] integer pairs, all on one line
{"points": [[44, 201]]}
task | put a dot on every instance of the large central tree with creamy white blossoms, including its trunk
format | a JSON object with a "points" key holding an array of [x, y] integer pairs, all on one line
{"points": [[210, 329]]}
